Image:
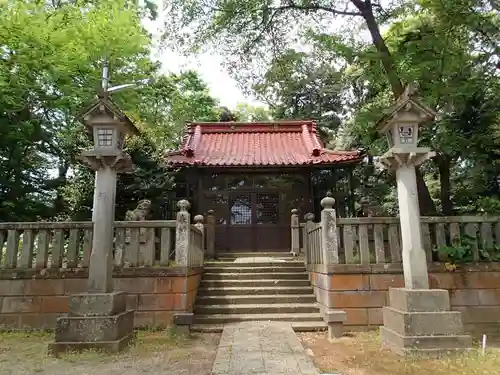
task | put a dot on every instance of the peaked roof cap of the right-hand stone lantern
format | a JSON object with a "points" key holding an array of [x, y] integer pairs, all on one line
{"points": [[408, 100]]}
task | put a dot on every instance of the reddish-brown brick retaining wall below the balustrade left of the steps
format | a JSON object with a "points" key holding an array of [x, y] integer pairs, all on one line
{"points": [[33, 299]]}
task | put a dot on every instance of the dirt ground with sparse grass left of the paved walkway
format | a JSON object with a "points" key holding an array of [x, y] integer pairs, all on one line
{"points": [[153, 353]]}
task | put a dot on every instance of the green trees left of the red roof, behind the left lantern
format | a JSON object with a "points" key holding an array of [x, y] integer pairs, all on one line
{"points": [[50, 68]]}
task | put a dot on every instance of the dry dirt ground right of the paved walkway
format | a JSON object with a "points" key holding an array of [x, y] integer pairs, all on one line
{"points": [[362, 354]]}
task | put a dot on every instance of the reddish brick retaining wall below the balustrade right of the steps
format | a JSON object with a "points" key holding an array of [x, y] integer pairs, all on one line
{"points": [[362, 290]]}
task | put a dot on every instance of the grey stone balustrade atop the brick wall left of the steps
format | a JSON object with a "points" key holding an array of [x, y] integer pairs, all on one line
{"points": [[67, 245]]}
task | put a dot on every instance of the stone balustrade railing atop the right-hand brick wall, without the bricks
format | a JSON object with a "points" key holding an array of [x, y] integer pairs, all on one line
{"points": [[377, 240]]}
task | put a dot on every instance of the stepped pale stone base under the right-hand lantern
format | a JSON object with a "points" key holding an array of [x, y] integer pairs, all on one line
{"points": [[420, 322]]}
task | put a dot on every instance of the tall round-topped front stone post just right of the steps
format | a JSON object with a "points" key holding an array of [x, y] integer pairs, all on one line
{"points": [[329, 243]]}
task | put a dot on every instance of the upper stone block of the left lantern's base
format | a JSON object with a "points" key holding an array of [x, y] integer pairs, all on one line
{"points": [[97, 304]]}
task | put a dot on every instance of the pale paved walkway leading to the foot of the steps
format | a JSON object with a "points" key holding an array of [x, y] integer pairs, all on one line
{"points": [[261, 348]]}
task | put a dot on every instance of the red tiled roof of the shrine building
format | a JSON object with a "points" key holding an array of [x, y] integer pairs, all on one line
{"points": [[285, 143]]}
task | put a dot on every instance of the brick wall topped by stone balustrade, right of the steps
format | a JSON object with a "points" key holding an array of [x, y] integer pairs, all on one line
{"points": [[353, 290]]}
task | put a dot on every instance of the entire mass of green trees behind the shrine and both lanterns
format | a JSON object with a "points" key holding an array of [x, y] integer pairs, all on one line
{"points": [[285, 53]]}
